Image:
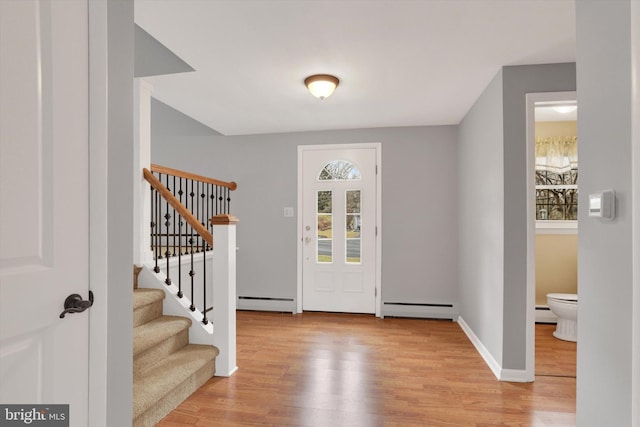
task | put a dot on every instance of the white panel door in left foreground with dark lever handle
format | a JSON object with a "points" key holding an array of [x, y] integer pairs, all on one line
{"points": [[44, 238]]}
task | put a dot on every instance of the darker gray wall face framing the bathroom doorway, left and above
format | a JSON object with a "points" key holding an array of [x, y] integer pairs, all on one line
{"points": [[517, 82]]}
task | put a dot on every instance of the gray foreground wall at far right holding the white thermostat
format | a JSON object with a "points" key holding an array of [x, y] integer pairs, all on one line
{"points": [[605, 392]]}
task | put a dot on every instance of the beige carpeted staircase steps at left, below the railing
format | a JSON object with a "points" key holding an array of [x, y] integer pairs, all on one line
{"points": [[166, 368]]}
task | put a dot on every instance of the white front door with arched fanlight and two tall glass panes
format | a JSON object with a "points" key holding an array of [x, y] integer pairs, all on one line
{"points": [[339, 209]]}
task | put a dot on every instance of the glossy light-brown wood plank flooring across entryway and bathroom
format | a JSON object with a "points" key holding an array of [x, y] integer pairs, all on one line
{"points": [[320, 369]]}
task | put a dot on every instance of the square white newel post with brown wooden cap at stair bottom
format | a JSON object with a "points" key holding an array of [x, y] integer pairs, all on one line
{"points": [[224, 293]]}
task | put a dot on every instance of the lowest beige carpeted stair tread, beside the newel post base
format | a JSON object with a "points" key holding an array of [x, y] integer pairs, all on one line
{"points": [[170, 373]]}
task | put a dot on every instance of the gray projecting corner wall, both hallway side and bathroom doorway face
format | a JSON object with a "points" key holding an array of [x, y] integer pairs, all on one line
{"points": [[493, 226]]}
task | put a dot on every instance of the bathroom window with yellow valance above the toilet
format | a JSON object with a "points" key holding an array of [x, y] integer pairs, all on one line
{"points": [[557, 178]]}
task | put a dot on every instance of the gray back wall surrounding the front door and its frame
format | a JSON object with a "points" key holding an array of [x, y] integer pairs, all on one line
{"points": [[419, 198]]}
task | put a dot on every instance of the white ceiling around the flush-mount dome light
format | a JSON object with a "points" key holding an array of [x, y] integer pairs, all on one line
{"points": [[400, 63]]}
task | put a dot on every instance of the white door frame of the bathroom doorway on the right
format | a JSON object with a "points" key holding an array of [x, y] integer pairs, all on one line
{"points": [[532, 98]]}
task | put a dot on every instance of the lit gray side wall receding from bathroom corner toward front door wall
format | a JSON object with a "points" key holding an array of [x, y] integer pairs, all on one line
{"points": [[480, 199]]}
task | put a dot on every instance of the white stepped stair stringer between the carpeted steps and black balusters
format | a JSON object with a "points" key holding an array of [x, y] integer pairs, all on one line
{"points": [[199, 333]]}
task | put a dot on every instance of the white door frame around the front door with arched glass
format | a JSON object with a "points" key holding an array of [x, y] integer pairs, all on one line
{"points": [[378, 269]]}
